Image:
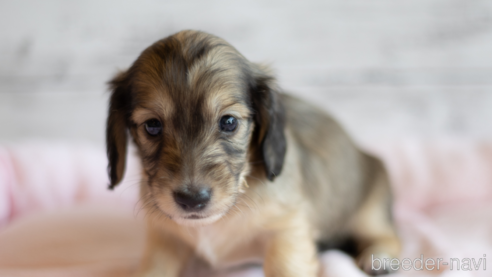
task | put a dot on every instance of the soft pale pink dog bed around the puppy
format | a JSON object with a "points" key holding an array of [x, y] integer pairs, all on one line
{"points": [[58, 219]]}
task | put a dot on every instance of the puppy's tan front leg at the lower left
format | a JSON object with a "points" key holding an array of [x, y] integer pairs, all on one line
{"points": [[164, 256]]}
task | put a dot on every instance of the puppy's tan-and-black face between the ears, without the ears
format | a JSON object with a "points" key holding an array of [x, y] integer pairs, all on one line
{"points": [[193, 128]]}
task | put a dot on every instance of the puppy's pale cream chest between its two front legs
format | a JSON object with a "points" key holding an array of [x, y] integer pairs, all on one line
{"points": [[225, 246]]}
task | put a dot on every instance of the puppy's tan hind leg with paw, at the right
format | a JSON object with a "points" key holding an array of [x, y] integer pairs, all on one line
{"points": [[373, 229]]}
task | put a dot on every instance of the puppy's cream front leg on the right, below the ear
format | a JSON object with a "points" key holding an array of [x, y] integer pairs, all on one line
{"points": [[291, 252]]}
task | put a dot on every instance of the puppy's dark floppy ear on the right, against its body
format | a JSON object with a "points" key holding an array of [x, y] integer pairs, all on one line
{"points": [[270, 121]]}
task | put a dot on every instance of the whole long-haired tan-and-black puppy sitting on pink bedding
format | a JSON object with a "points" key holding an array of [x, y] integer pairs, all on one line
{"points": [[235, 171]]}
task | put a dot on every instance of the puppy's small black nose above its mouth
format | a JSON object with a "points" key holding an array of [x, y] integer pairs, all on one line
{"points": [[192, 199]]}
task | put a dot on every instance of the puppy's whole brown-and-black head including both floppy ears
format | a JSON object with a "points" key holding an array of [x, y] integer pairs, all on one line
{"points": [[201, 116]]}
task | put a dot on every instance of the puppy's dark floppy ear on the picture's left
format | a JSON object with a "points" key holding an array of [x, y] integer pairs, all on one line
{"points": [[116, 127]]}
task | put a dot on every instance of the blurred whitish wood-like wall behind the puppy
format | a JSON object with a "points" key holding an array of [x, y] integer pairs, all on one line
{"points": [[386, 69]]}
